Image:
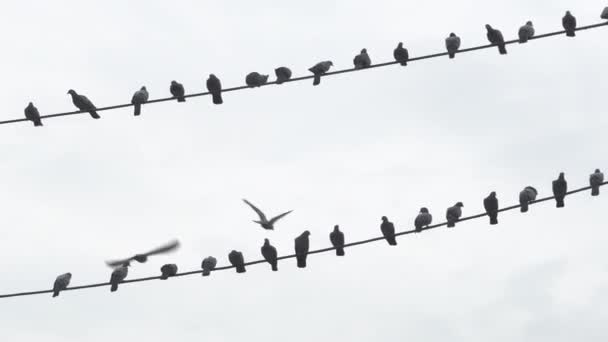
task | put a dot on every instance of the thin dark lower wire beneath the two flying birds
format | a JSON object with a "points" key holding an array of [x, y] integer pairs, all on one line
{"points": [[290, 256]]}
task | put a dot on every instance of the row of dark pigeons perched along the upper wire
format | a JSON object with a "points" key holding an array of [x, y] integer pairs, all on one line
{"points": [[283, 74]]}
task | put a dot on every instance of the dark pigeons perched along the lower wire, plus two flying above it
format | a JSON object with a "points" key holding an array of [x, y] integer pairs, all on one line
{"points": [[336, 237]]}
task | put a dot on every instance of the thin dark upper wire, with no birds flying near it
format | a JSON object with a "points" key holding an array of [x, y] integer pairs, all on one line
{"points": [[296, 79]]}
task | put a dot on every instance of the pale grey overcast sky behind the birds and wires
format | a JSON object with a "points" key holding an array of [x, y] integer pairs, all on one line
{"points": [[380, 142]]}
